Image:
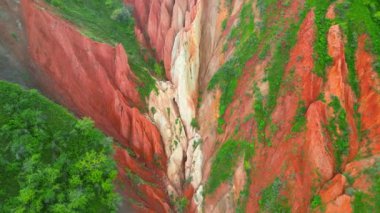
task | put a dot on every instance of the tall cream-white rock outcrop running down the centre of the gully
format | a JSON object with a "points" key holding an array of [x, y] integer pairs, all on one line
{"points": [[173, 109]]}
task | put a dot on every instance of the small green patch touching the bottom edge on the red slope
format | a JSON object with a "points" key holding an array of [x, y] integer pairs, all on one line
{"points": [[271, 200]]}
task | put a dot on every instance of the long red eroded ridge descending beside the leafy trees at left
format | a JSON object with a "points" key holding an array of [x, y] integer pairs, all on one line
{"points": [[95, 80]]}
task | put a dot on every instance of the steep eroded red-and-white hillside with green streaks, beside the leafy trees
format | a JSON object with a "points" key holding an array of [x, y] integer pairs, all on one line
{"points": [[223, 105]]}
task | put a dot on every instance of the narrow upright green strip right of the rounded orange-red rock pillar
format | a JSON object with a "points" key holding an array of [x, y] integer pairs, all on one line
{"points": [[339, 131]]}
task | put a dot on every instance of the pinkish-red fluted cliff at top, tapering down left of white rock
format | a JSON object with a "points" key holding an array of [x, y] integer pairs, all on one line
{"points": [[160, 21]]}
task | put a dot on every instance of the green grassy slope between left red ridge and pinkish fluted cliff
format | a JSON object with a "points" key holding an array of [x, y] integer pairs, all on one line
{"points": [[112, 22]]}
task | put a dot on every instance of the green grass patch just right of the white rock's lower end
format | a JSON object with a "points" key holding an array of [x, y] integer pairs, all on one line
{"points": [[225, 161]]}
